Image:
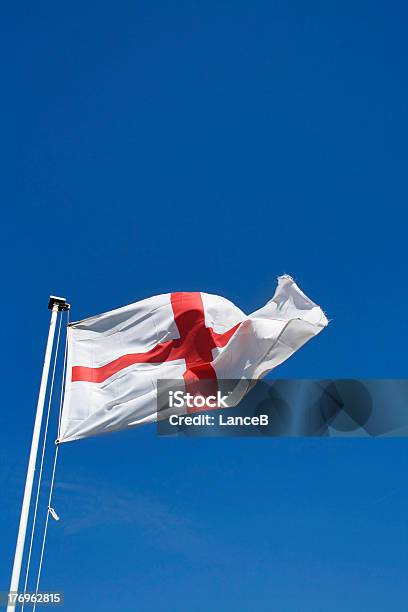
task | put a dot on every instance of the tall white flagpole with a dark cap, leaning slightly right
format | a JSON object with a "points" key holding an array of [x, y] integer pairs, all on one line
{"points": [[55, 304]]}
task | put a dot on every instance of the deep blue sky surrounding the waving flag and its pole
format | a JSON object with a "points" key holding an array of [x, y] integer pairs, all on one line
{"points": [[157, 146]]}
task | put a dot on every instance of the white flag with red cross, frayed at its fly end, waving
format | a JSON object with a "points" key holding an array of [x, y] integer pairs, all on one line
{"points": [[115, 359]]}
